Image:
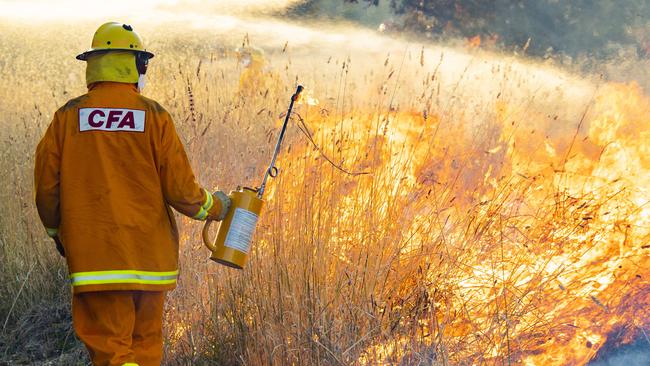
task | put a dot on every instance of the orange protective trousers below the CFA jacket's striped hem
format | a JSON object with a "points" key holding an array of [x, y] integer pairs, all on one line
{"points": [[120, 327]]}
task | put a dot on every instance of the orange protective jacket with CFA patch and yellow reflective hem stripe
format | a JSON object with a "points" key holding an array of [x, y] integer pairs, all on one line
{"points": [[107, 170]]}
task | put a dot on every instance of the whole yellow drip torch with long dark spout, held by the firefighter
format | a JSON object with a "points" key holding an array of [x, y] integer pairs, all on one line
{"points": [[232, 243]]}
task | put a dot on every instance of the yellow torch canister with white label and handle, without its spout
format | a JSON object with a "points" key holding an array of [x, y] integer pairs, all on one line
{"points": [[233, 241]]}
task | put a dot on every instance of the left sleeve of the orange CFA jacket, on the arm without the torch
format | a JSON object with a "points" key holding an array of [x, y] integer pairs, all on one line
{"points": [[46, 178]]}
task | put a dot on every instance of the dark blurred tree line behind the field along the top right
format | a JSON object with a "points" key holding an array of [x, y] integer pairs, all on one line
{"points": [[568, 27]]}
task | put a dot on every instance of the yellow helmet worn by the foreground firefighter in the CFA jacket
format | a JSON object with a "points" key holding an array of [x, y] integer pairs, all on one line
{"points": [[114, 36]]}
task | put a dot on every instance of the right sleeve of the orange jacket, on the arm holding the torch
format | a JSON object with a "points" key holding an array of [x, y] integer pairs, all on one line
{"points": [[178, 183]]}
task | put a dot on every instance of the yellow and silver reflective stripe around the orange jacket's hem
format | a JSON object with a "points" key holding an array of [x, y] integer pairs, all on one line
{"points": [[123, 276]]}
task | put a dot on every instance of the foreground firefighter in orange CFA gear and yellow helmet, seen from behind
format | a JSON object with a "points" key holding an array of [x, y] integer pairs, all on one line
{"points": [[107, 171]]}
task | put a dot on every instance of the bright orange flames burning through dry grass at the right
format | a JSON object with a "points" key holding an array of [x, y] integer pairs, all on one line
{"points": [[516, 244]]}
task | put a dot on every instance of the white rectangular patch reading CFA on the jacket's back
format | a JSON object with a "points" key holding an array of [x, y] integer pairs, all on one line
{"points": [[111, 119]]}
